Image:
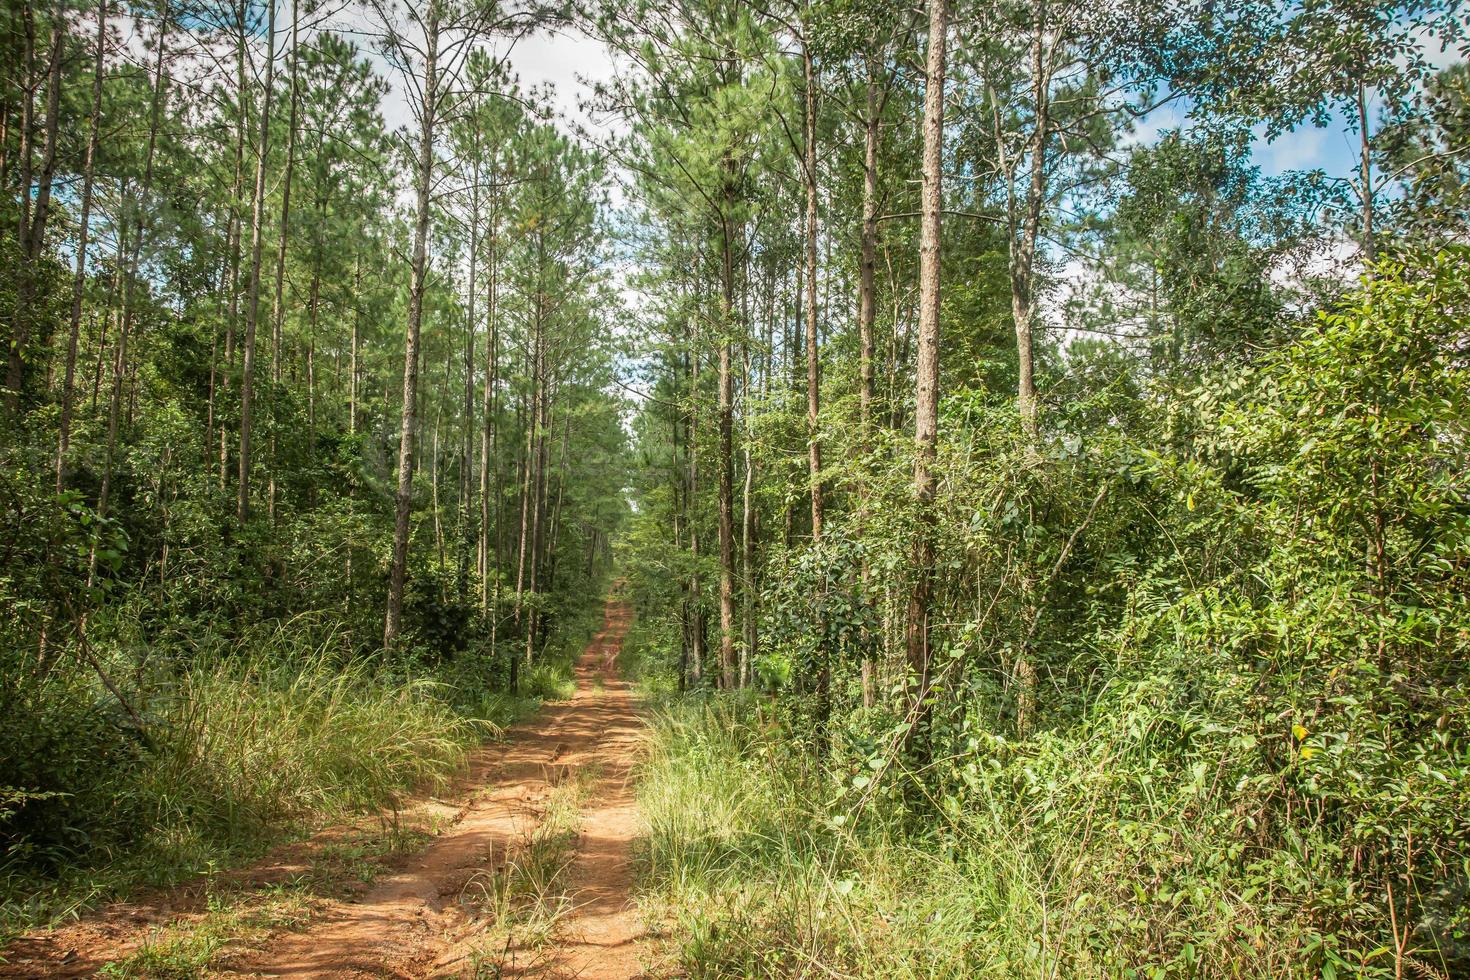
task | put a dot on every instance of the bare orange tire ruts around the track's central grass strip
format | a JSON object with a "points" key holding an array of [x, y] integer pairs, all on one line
{"points": [[412, 923]]}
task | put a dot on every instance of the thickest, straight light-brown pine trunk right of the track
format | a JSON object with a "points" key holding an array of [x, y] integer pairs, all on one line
{"points": [[927, 399]]}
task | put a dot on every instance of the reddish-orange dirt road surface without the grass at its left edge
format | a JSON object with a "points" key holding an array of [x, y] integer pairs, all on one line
{"points": [[433, 913]]}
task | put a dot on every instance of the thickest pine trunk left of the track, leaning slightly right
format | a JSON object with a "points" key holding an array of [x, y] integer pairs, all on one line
{"points": [[404, 509]]}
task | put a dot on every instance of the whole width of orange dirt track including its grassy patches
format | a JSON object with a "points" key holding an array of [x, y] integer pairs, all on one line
{"points": [[526, 871]]}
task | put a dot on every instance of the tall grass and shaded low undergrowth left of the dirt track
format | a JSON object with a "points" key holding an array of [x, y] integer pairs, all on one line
{"points": [[240, 747]]}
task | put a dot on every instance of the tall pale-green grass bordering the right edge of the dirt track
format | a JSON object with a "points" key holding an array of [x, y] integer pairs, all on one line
{"points": [[752, 878]]}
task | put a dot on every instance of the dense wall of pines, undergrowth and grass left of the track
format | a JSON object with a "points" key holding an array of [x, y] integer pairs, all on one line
{"points": [[217, 481]]}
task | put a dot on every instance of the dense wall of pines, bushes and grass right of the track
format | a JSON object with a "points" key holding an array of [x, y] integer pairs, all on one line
{"points": [[1190, 625]]}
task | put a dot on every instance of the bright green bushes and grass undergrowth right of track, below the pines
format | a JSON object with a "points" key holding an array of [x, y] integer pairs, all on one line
{"points": [[1200, 703]]}
